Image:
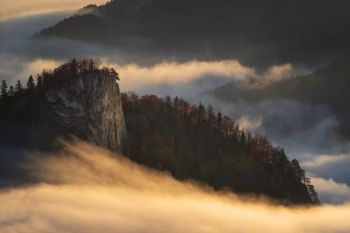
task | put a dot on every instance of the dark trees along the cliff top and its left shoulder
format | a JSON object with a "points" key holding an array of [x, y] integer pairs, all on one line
{"points": [[25, 103]]}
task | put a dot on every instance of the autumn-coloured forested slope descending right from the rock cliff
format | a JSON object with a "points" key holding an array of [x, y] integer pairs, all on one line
{"points": [[193, 142]]}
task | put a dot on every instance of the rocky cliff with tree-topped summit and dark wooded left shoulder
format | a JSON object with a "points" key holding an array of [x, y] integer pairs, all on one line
{"points": [[76, 99]]}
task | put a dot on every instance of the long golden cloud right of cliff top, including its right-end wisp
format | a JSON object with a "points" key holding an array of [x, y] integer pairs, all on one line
{"points": [[204, 74]]}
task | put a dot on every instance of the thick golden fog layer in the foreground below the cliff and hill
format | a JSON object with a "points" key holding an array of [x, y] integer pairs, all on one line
{"points": [[87, 189]]}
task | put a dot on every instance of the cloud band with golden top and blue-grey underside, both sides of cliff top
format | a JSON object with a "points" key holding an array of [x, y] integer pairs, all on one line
{"points": [[173, 78]]}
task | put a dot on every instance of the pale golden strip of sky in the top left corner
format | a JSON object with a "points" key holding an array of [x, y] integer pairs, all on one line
{"points": [[21, 8]]}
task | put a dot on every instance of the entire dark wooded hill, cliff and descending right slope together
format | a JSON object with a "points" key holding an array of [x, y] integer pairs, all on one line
{"points": [[190, 142]]}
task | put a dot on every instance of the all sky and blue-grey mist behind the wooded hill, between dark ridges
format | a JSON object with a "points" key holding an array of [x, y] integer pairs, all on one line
{"points": [[328, 164]]}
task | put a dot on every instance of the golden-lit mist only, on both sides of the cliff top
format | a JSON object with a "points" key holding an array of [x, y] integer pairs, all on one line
{"points": [[135, 77]]}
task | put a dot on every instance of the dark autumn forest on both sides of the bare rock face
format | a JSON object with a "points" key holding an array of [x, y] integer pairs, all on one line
{"points": [[189, 141]]}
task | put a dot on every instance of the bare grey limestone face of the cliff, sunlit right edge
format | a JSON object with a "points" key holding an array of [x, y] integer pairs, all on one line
{"points": [[89, 107]]}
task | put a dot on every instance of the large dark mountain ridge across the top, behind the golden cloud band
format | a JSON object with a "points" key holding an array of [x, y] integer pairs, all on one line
{"points": [[253, 31]]}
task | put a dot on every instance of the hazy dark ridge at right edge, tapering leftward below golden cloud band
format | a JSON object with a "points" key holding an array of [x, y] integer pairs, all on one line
{"points": [[327, 86]]}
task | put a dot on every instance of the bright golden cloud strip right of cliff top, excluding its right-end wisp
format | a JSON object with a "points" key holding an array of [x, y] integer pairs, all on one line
{"points": [[173, 73]]}
